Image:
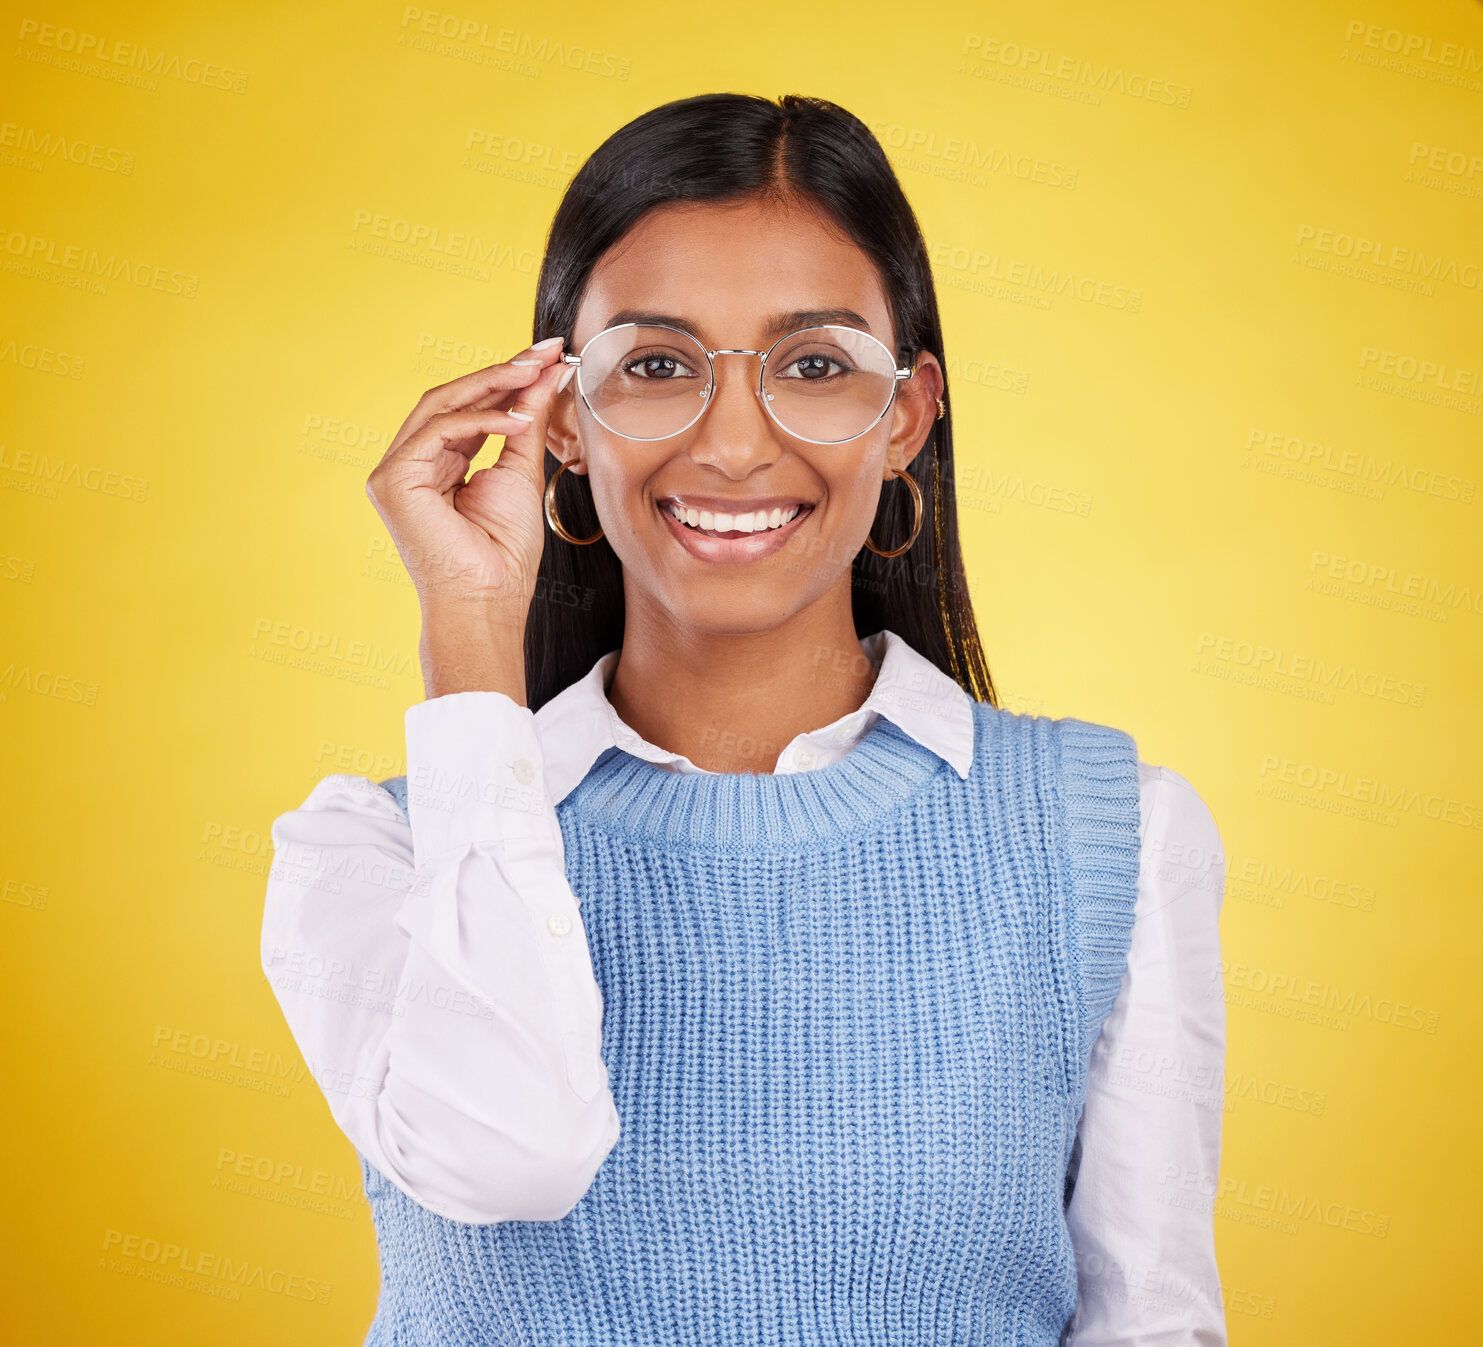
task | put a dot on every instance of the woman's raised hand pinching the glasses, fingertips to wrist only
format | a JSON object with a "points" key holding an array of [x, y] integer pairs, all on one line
{"points": [[477, 541]]}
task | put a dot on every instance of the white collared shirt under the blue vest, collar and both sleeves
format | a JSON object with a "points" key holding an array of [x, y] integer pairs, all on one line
{"points": [[437, 978]]}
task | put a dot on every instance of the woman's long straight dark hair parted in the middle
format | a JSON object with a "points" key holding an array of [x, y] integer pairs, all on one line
{"points": [[723, 148]]}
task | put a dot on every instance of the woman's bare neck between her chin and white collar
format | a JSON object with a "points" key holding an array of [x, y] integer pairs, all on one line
{"points": [[733, 701]]}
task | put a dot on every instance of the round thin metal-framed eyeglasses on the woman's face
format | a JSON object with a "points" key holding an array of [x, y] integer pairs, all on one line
{"points": [[825, 385]]}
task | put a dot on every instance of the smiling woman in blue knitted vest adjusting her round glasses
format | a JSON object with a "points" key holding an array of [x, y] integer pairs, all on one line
{"points": [[727, 966]]}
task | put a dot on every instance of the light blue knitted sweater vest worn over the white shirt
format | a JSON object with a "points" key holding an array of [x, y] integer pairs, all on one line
{"points": [[848, 1023]]}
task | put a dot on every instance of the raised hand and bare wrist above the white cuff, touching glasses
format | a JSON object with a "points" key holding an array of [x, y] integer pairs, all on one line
{"points": [[474, 548]]}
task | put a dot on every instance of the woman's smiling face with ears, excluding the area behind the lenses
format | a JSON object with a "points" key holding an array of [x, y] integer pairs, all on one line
{"points": [[724, 274]]}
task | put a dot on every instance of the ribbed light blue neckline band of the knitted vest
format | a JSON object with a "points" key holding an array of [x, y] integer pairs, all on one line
{"points": [[748, 812]]}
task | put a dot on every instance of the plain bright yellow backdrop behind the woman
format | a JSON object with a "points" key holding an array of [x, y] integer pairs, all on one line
{"points": [[185, 452]]}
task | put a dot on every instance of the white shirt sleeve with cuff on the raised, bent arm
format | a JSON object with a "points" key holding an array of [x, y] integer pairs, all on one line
{"points": [[435, 974]]}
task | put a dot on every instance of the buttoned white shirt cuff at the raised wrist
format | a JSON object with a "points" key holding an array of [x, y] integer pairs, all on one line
{"points": [[475, 774]]}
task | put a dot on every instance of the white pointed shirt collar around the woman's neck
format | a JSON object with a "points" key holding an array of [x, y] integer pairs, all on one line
{"points": [[579, 725]]}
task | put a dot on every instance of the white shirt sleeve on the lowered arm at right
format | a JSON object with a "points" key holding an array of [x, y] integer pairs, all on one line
{"points": [[1150, 1139]]}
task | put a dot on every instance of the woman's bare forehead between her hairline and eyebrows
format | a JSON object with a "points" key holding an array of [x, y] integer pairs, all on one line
{"points": [[729, 269]]}
